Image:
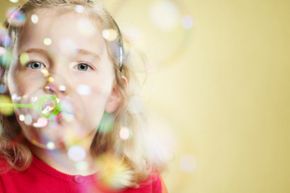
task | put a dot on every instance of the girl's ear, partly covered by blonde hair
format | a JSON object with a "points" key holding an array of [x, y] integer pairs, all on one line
{"points": [[115, 98]]}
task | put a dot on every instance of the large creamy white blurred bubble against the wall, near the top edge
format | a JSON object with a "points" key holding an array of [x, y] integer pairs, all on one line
{"points": [[165, 15]]}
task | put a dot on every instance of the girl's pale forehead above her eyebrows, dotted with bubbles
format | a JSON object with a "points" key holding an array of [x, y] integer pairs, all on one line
{"points": [[58, 26]]}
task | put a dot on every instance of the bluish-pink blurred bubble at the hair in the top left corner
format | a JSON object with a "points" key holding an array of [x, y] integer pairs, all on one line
{"points": [[15, 17]]}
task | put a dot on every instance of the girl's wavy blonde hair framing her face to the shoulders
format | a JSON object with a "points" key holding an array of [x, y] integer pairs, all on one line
{"points": [[19, 156]]}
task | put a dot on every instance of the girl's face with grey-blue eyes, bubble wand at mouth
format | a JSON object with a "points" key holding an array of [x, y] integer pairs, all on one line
{"points": [[63, 79]]}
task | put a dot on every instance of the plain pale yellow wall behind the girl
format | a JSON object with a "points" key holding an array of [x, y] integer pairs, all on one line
{"points": [[226, 97]]}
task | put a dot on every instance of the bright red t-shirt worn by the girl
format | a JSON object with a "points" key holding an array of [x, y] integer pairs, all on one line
{"points": [[42, 178]]}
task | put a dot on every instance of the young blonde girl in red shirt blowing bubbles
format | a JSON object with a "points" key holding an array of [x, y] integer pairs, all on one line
{"points": [[69, 126]]}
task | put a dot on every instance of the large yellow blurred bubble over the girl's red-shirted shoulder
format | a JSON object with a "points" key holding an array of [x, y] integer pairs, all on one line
{"points": [[113, 172]]}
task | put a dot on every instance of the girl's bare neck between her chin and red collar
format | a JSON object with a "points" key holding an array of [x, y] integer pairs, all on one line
{"points": [[60, 160]]}
